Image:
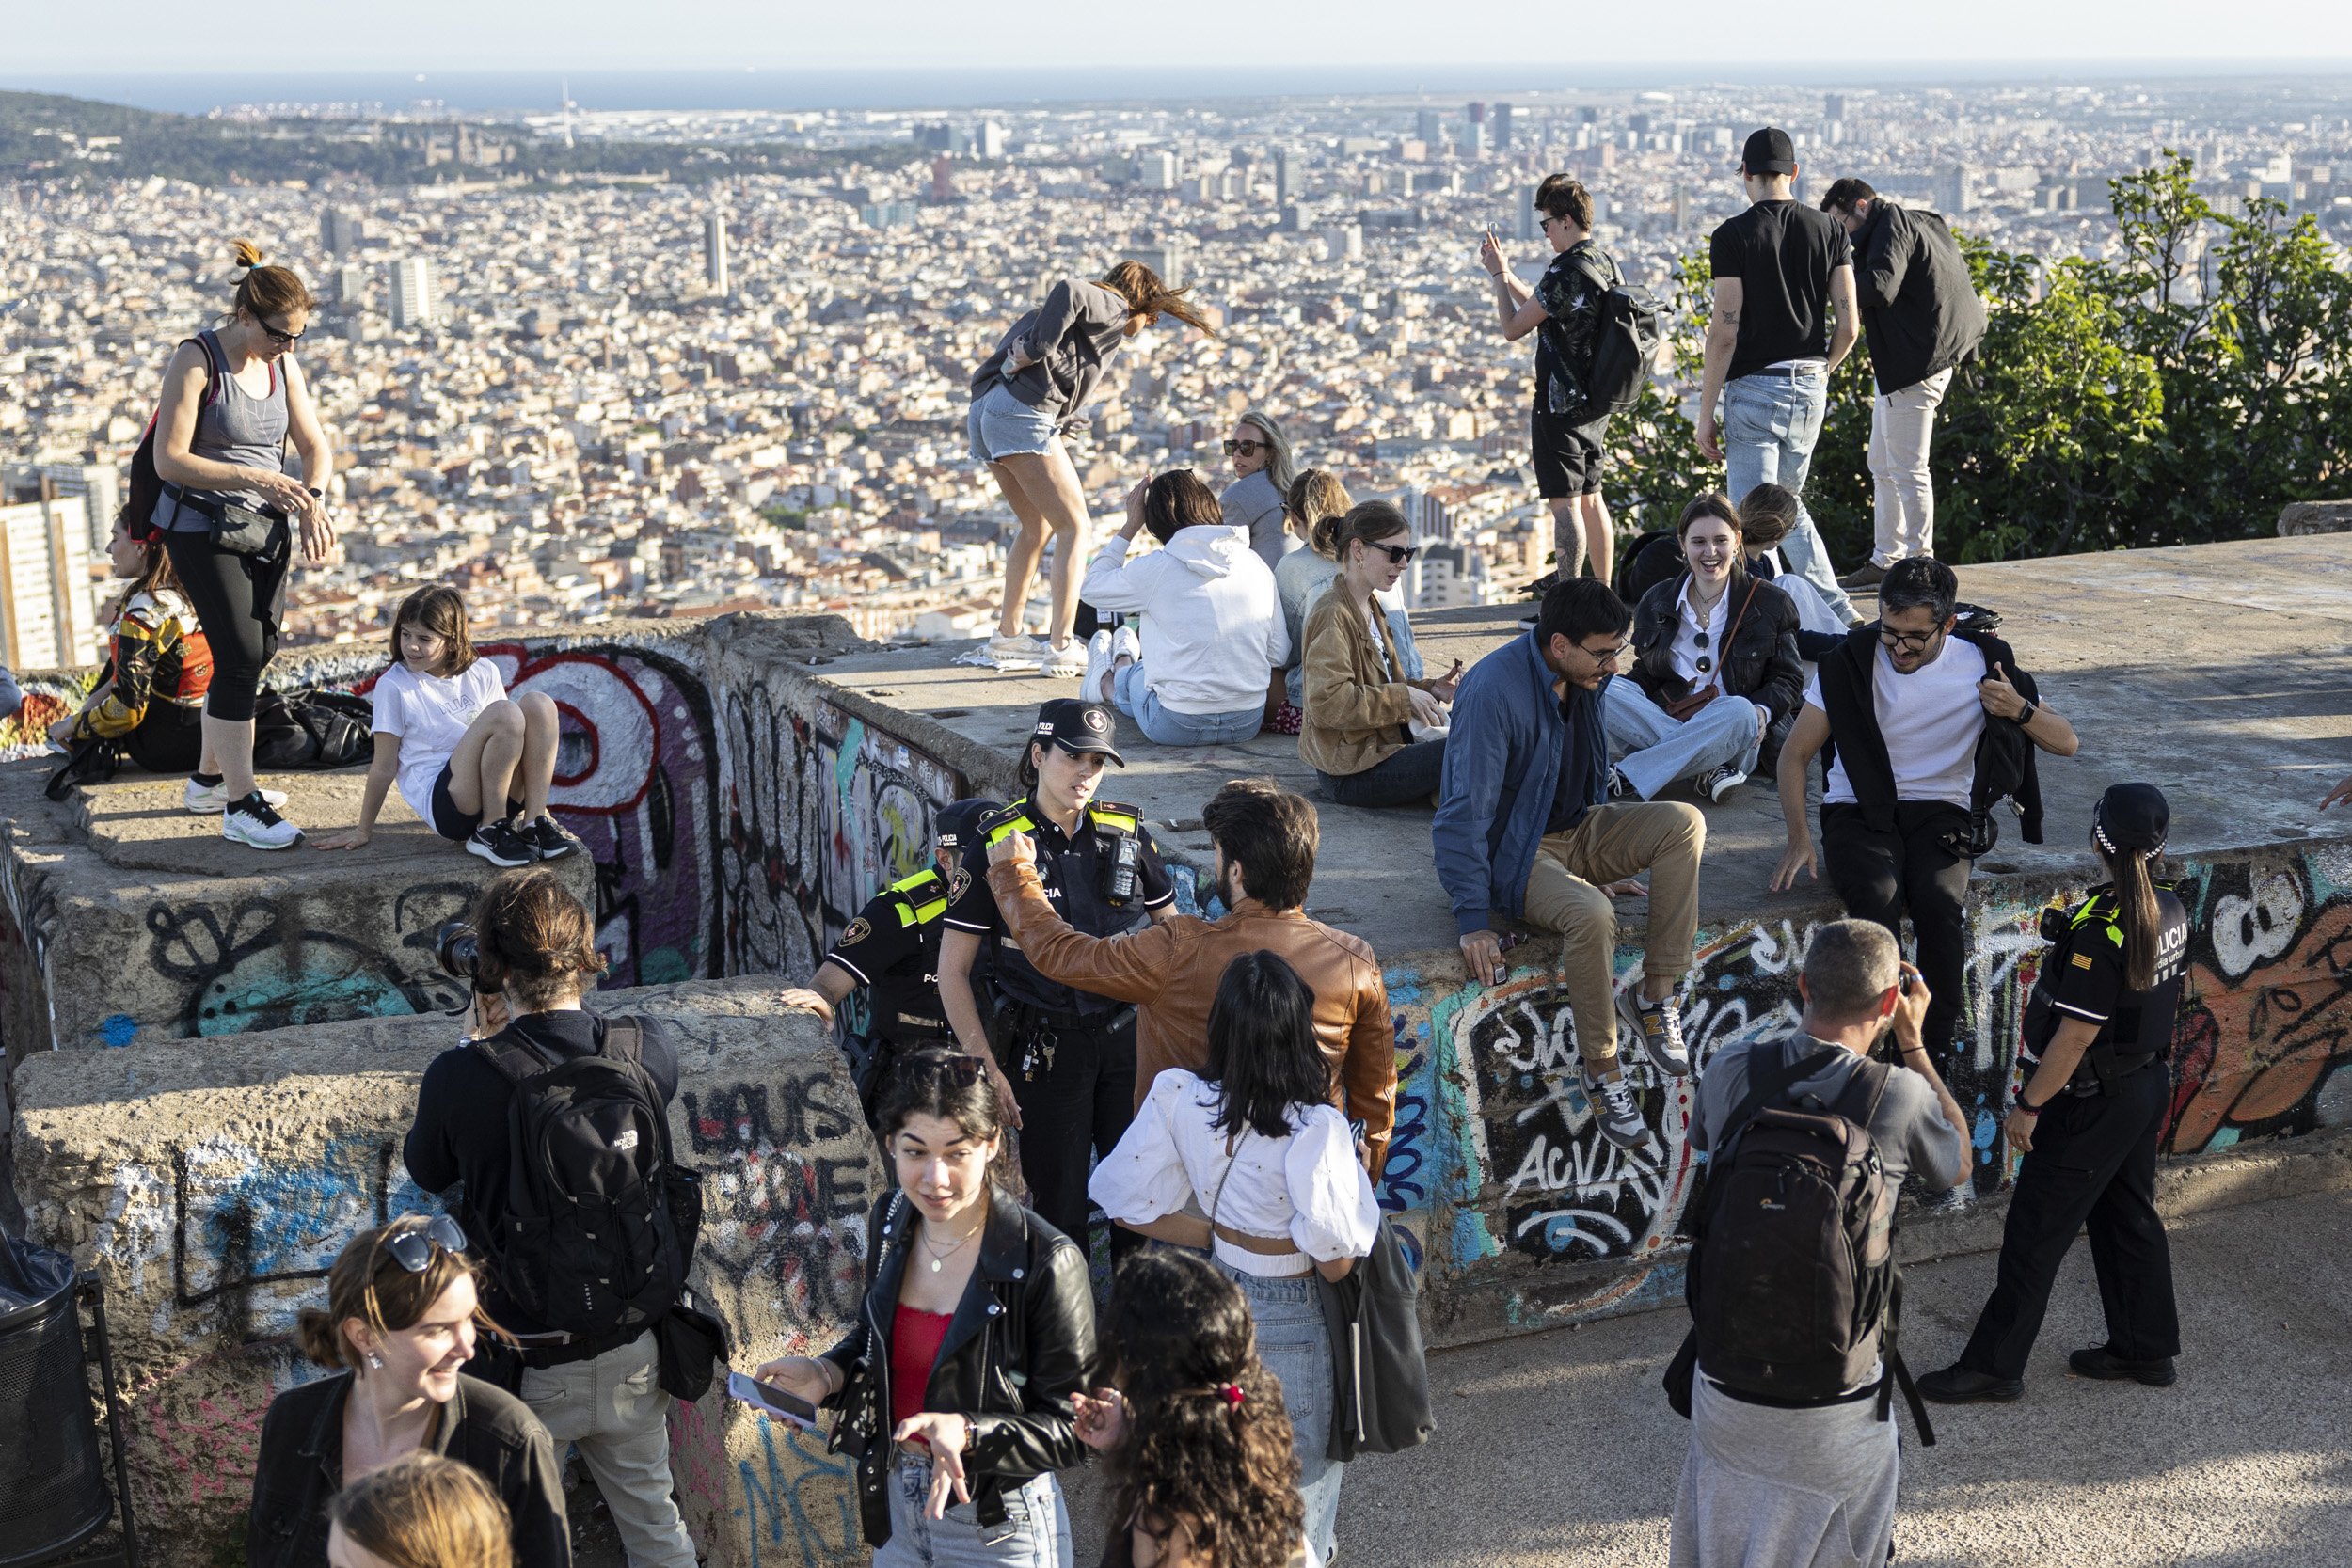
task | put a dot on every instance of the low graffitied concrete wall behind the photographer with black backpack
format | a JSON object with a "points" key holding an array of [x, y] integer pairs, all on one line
{"points": [[213, 1191]]}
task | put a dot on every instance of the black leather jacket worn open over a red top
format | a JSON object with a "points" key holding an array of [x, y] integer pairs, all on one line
{"points": [[1020, 1346]]}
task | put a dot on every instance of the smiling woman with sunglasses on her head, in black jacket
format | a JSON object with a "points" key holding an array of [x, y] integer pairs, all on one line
{"points": [[399, 1327]]}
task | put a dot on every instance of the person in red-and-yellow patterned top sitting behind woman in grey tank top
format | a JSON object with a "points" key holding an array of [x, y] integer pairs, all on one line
{"points": [[152, 697]]}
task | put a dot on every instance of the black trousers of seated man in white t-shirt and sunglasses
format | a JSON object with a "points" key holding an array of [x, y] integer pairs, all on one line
{"points": [[1887, 876]]}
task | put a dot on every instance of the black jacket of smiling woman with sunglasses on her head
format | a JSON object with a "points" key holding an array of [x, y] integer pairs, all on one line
{"points": [[300, 1468]]}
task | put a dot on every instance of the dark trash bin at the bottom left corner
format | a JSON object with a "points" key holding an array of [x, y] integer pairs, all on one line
{"points": [[53, 1489]]}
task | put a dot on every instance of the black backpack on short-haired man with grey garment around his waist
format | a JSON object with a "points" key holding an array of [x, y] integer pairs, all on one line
{"points": [[1793, 1282]]}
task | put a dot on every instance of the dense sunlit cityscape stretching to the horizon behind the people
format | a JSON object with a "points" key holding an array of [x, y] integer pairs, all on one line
{"points": [[702, 391]]}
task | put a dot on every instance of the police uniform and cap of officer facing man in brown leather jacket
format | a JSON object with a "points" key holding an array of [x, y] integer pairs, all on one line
{"points": [[1069, 1054]]}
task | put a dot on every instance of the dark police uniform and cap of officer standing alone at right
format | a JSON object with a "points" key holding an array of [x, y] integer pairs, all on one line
{"points": [[2094, 1148]]}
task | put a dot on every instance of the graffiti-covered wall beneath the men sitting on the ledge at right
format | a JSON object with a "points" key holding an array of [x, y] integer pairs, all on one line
{"points": [[1530, 1217]]}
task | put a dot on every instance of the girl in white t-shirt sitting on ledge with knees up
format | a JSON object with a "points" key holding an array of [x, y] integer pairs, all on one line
{"points": [[457, 744]]}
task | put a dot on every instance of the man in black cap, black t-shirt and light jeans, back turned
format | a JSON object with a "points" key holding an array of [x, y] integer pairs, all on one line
{"points": [[1772, 344]]}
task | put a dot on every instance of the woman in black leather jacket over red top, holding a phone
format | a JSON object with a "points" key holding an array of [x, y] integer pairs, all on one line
{"points": [[958, 1386]]}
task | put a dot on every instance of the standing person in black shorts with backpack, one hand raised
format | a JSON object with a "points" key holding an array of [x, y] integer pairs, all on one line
{"points": [[1563, 311]]}
